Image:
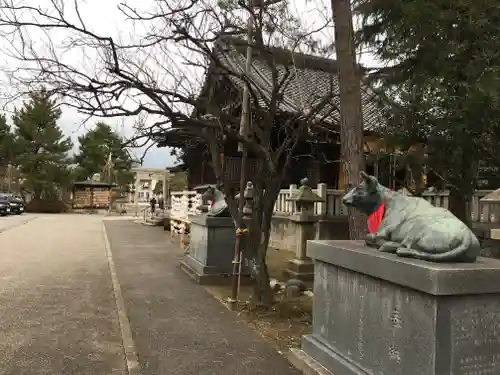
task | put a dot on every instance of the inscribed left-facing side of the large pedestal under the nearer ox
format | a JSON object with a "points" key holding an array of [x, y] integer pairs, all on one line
{"points": [[374, 325]]}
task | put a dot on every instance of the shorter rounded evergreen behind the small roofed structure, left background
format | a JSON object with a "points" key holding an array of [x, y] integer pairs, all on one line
{"points": [[95, 147]]}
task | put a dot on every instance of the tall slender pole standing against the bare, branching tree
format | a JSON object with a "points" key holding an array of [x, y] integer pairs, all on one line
{"points": [[244, 130]]}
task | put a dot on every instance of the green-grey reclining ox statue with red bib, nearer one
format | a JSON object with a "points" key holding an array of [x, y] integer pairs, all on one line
{"points": [[411, 226]]}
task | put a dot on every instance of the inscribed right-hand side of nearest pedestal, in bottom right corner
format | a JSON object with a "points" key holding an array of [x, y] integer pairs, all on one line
{"points": [[476, 340]]}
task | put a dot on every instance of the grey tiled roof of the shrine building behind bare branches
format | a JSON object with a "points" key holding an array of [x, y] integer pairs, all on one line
{"points": [[311, 79]]}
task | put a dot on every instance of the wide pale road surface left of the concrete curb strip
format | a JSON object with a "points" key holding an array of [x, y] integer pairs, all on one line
{"points": [[57, 309]]}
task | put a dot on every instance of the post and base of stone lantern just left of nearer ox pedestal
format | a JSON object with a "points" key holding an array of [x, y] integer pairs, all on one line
{"points": [[301, 267]]}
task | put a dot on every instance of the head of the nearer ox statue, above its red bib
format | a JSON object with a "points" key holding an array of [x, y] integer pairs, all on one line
{"points": [[366, 197]]}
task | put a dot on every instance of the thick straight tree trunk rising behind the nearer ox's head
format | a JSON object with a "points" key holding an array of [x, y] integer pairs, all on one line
{"points": [[351, 120]]}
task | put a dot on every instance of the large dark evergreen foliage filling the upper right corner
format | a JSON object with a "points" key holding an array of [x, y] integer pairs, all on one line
{"points": [[443, 79]]}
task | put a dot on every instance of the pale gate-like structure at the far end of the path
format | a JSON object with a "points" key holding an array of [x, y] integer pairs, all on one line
{"points": [[145, 182]]}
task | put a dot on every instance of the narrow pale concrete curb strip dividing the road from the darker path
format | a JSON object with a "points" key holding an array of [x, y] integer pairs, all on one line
{"points": [[131, 357]]}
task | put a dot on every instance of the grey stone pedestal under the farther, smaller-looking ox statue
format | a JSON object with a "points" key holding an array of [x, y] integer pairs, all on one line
{"points": [[209, 258]]}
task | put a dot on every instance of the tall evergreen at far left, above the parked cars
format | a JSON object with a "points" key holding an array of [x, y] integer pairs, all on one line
{"points": [[43, 150]]}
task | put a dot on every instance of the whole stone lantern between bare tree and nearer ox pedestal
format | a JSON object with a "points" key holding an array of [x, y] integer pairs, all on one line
{"points": [[304, 220]]}
